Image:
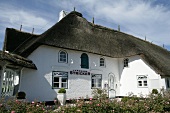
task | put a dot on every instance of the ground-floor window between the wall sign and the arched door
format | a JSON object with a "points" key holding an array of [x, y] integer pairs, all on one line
{"points": [[96, 80]]}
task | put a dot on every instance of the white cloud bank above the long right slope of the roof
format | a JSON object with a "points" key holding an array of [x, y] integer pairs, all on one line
{"points": [[138, 17]]}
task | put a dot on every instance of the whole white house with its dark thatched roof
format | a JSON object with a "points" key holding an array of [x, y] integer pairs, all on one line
{"points": [[80, 56]]}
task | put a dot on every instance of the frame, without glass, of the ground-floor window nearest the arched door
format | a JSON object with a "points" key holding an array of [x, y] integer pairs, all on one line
{"points": [[92, 87]]}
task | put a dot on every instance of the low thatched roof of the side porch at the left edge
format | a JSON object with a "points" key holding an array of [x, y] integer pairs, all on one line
{"points": [[16, 60]]}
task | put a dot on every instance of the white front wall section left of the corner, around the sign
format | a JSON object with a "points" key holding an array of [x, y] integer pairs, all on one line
{"points": [[38, 83]]}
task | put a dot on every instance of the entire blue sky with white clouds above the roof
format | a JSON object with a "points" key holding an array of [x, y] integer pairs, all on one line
{"points": [[140, 18]]}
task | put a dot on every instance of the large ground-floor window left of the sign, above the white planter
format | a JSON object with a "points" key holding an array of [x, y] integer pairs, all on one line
{"points": [[60, 79]]}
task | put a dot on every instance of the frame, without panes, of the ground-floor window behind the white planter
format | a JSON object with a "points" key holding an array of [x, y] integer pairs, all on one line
{"points": [[60, 79]]}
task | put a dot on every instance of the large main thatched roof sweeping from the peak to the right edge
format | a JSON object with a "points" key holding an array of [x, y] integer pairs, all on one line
{"points": [[76, 33]]}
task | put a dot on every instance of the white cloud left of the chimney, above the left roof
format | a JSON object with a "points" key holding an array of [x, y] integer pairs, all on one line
{"points": [[14, 17]]}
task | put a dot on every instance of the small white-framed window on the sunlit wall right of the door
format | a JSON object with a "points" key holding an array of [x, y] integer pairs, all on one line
{"points": [[142, 81]]}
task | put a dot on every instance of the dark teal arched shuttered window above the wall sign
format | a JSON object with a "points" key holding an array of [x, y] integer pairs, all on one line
{"points": [[84, 61]]}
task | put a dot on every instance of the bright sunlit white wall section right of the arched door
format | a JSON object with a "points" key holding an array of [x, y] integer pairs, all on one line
{"points": [[128, 79]]}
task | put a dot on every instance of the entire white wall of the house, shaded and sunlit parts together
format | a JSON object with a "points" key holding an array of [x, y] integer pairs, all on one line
{"points": [[38, 83]]}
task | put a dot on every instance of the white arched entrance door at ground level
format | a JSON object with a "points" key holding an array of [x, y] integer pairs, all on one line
{"points": [[111, 90]]}
